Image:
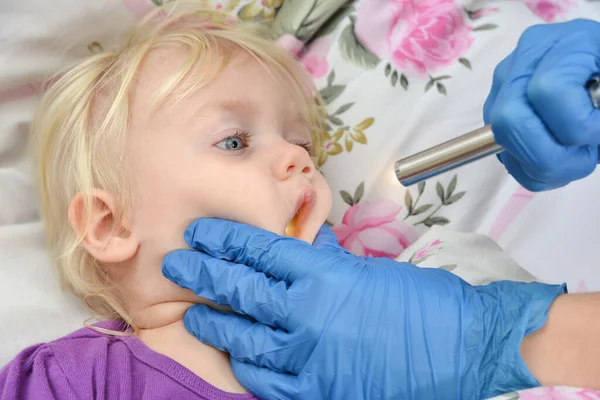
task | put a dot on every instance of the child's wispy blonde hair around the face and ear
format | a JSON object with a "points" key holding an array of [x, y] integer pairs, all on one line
{"points": [[79, 133]]}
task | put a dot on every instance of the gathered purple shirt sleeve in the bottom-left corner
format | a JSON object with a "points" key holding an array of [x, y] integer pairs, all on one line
{"points": [[34, 374]]}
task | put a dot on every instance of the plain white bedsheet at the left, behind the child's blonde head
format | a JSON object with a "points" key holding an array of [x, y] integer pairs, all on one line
{"points": [[37, 38]]}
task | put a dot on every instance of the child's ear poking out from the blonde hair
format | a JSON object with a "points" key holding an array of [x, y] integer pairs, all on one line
{"points": [[105, 237]]}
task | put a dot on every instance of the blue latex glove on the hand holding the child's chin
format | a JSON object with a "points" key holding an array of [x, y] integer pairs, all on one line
{"points": [[330, 325]]}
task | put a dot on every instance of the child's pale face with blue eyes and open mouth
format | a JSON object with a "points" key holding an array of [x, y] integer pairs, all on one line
{"points": [[231, 150]]}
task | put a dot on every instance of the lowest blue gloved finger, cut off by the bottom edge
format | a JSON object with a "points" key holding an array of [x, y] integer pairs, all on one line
{"points": [[265, 383]]}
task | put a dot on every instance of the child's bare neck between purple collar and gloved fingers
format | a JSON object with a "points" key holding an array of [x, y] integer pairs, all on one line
{"points": [[171, 339]]}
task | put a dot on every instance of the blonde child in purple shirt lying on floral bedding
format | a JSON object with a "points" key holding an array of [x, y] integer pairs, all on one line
{"points": [[194, 117]]}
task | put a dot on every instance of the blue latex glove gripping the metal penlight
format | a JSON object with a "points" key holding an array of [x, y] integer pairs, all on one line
{"points": [[540, 111]]}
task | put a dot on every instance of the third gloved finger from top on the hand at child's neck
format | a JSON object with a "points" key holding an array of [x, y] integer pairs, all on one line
{"points": [[247, 341]]}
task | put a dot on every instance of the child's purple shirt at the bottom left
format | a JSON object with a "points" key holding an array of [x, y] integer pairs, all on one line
{"points": [[90, 365]]}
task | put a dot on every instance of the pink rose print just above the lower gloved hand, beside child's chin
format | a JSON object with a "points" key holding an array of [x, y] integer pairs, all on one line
{"points": [[370, 229]]}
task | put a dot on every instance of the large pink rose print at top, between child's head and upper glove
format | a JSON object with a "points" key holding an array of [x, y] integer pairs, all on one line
{"points": [[418, 36]]}
